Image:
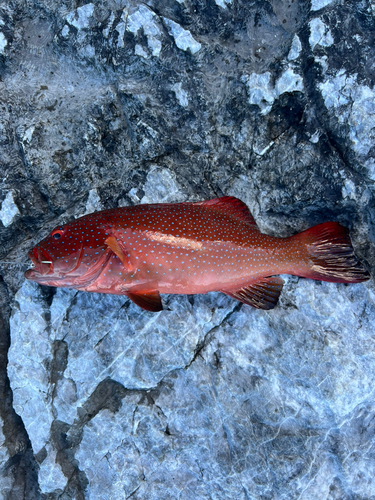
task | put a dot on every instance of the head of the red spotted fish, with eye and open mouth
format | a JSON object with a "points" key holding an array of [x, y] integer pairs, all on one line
{"points": [[65, 257]]}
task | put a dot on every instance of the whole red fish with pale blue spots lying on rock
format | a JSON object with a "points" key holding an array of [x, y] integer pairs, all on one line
{"points": [[146, 250]]}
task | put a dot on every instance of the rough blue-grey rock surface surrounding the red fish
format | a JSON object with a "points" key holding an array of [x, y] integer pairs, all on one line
{"points": [[109, 104]]}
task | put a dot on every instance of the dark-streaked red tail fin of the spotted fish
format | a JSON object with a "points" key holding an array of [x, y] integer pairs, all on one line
{"points": [[330, 255]]}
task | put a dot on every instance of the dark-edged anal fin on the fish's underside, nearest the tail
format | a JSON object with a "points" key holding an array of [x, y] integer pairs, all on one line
{"points": [[263, 295]]}
